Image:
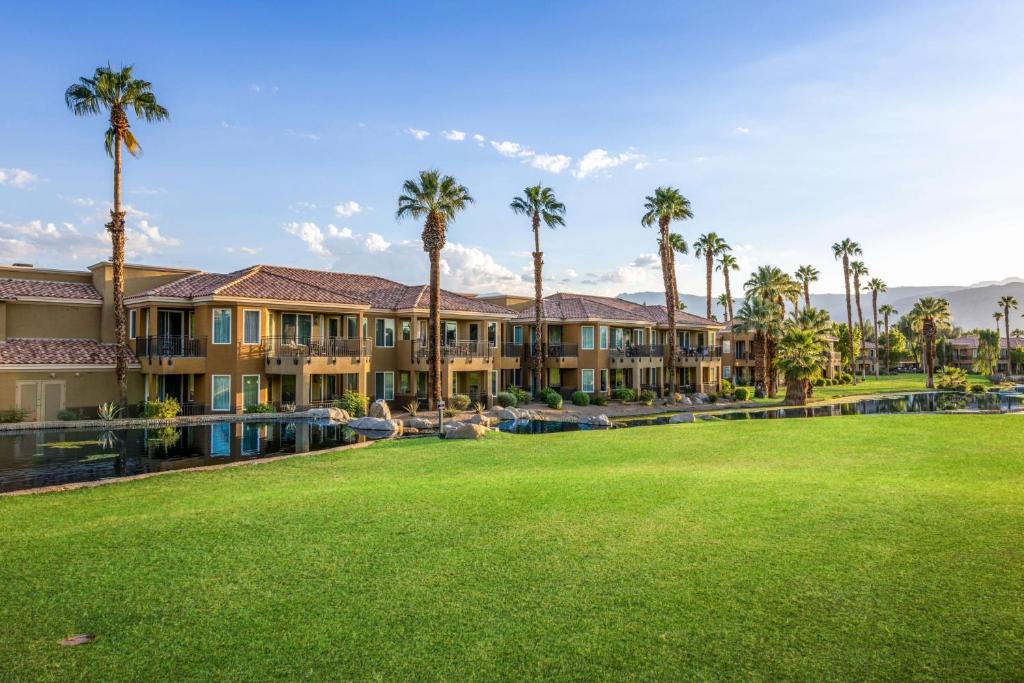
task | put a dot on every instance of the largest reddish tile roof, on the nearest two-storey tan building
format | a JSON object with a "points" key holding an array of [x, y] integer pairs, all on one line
{"points": [[271, 282]]}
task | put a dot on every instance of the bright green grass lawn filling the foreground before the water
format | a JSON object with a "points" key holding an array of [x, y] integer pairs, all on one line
{"points": [[883, 547]]}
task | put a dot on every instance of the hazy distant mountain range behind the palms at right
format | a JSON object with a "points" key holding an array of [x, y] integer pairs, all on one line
{"points": [[972, 307]]}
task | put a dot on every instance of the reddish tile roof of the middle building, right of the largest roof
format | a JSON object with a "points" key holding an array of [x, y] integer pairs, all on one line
{"points": [[573, 308]]}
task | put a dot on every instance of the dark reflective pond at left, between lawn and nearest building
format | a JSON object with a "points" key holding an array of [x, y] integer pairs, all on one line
{"points": [[47, 458]]}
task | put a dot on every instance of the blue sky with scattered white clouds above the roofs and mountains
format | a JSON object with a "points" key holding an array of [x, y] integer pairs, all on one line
{"points": [[788, 125]]}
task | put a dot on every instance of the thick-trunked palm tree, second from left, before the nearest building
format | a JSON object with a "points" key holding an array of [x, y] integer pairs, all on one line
{"points": [[439, 199]]}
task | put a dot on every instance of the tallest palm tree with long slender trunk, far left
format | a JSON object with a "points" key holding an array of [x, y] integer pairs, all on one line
{"points": [[117, 93]]}
